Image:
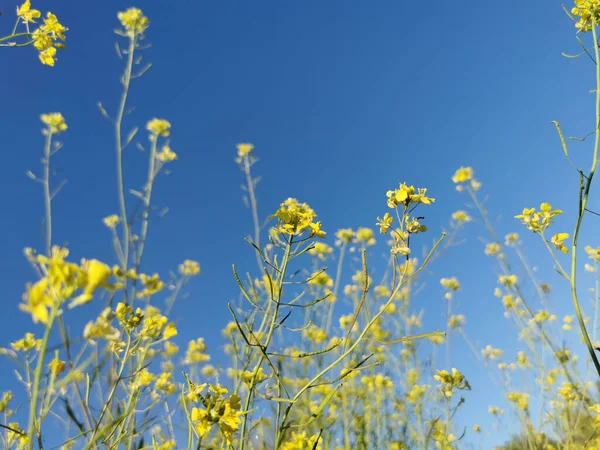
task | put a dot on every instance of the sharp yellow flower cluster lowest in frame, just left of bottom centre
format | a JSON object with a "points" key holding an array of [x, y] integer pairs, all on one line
{"points": [[218, 410]]}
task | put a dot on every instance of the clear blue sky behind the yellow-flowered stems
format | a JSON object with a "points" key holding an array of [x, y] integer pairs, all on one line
{"points": [[343, 100]]}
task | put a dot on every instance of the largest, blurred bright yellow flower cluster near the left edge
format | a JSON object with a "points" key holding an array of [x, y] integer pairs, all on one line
{"points": [[61, 281]]}
